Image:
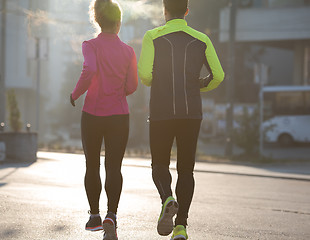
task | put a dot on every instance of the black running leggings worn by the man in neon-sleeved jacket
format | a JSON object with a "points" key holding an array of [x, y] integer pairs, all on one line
{"points": [[162, 134]]}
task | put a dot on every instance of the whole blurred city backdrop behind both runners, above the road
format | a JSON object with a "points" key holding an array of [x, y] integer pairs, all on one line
{"points": [[262, 107]]}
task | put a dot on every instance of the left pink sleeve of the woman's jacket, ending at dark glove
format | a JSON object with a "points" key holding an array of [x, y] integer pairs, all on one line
{"points": [[89, 70]]}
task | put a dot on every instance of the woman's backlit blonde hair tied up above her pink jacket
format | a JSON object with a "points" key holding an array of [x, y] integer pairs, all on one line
{"points": [[105, 13]]}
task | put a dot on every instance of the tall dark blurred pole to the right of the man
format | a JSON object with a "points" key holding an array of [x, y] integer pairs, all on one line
{"points": [[231, 81]]}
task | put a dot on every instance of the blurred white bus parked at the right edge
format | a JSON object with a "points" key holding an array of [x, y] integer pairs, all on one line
{"points": [[285, 114]]}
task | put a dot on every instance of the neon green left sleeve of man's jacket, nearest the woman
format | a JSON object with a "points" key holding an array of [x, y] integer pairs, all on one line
{"points": [[146, 61]]}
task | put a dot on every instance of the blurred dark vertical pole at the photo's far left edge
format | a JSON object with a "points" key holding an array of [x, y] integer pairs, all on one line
{"points": [[2, 64]]}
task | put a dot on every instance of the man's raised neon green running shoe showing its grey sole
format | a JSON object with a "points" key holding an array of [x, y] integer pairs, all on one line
{"points": [[165, 221]]}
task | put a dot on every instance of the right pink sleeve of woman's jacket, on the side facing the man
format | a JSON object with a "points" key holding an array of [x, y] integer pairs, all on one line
{"points": [[132, 76]]}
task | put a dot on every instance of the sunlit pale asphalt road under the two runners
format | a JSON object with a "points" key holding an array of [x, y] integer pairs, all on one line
{"points": [[46, 200]]}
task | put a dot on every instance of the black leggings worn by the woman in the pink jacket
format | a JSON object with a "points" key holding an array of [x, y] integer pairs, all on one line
{"points": [[114, 130]]}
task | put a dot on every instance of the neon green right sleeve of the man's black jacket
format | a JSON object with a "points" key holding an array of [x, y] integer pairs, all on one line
{"points": [[215, 67]]}
